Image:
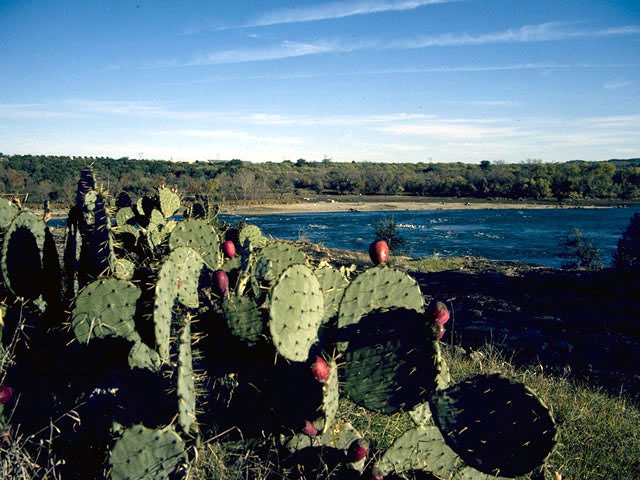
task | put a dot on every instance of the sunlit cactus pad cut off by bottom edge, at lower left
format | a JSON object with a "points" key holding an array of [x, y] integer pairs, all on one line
{"points": [[146, 454]]}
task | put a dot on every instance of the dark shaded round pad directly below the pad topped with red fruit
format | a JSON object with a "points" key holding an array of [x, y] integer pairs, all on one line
{"points": [[391, 363]]}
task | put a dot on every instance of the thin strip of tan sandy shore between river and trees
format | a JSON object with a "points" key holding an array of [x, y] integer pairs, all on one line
{"points": [[349, 206]]}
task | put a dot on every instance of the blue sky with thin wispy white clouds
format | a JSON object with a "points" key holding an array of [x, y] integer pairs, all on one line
{"points": [[363, 80]]}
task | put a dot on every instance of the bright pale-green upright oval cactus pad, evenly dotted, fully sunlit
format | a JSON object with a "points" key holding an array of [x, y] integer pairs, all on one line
{"points": [[296, 312]]}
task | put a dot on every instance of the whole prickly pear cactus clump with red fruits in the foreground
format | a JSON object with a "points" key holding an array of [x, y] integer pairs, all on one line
{"points": [[179, 326]]}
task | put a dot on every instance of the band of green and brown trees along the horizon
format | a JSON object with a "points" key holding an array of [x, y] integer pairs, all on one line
{"points": [[54, 178]]}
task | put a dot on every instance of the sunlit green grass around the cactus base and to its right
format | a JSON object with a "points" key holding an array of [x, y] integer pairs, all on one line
{"points": [[599, 433]]}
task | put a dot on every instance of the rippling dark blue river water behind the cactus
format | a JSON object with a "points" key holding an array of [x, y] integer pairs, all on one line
{"points": [[531, 236]]}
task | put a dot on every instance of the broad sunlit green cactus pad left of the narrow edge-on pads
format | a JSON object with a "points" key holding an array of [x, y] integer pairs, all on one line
{"points": [[106, 308]]}
